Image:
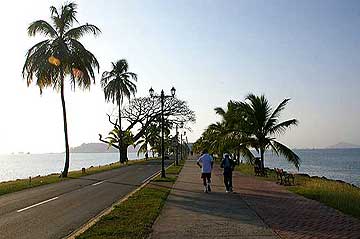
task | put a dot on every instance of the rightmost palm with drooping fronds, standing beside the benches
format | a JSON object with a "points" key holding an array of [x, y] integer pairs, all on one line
{"points": [[258, 120]]}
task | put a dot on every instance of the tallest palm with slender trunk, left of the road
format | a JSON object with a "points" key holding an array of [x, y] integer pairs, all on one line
{"points": [[60, 55]]}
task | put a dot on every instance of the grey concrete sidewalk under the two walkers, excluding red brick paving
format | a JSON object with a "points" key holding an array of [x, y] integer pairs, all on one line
{"points": [[191, 213]]}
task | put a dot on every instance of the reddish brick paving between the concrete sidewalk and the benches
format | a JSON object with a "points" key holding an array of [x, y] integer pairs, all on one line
{"points": [[293, 216]]}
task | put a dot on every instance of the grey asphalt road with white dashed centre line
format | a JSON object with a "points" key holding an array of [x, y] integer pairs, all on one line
{"points": [[55, 210]]}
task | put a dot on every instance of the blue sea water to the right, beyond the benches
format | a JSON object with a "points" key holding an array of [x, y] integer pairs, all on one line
{"points": [[341, 164]]}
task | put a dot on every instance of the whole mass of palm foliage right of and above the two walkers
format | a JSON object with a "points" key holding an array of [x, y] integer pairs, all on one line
{"points": [[248, 124]]}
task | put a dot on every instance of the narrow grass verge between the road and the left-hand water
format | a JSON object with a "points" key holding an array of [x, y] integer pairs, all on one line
{"points": [[21, 184]]}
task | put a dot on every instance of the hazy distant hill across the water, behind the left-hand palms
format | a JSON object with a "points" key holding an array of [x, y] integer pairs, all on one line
{"points": [[98, 148]]}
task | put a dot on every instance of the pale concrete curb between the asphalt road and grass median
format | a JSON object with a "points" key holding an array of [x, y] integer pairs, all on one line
{"points": [[94, 220]]}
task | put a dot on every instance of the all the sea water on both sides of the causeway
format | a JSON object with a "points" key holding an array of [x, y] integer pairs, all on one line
{"points": [[342, 164]]}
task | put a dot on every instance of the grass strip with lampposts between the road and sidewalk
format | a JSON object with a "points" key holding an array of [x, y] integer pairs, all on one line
{"points": [[134, 217]]}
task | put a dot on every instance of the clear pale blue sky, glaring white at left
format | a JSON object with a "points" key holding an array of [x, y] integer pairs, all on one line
{"points": [[210, 51]]}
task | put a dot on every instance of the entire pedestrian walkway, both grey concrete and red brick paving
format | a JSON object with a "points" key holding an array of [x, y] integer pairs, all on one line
{"points": [[258, 209]]}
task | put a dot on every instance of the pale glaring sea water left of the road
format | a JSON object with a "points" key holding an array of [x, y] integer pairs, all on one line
{"points": [[19, 166]]}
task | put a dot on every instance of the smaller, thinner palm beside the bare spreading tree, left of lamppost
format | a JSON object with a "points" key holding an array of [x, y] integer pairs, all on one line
{"points": [[117, 84]]}
